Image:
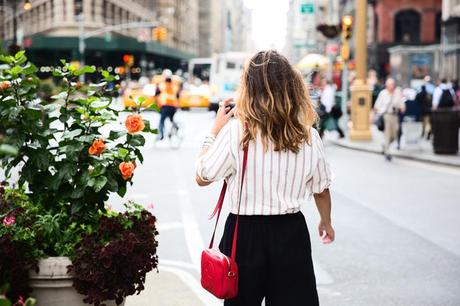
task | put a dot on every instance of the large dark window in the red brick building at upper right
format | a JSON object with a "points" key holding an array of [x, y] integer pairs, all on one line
{"points": [[407, 27]]}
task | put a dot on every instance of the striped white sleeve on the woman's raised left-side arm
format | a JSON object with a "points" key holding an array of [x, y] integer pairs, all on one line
{"points": [[218, 162]]}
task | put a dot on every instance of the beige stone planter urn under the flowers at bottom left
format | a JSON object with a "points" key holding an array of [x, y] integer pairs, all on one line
{"points": [[52, 286]]}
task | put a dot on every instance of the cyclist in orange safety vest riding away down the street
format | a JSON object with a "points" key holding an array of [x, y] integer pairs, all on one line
{"points": [[167, 95]]}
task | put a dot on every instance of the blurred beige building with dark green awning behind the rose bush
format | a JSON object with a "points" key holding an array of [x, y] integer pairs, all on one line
{"points": [[51, 28]]}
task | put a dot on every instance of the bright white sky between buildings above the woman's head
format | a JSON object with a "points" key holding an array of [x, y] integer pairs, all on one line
{"points": [[268, 22]]}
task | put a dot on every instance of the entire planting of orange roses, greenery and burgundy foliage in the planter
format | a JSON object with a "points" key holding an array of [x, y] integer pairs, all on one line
{"points": [[67, 167]]}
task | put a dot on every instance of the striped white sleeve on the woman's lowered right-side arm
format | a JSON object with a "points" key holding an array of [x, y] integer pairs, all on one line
{"points": [[322, 177]]}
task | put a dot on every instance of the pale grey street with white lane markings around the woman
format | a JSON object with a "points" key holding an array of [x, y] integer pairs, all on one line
{"points": [[396, 225]]}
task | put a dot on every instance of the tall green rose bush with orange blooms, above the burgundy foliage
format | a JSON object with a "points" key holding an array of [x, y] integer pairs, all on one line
{"points": [[62, 154]]}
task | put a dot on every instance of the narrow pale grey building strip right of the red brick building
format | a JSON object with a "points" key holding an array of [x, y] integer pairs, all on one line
{"points": [[450, 43]]}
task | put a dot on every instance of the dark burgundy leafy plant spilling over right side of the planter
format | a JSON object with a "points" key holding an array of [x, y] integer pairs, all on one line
{"points": [[111, 262]]}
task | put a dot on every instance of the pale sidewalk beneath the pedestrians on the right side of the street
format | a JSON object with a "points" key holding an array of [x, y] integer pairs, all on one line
{"points": [[423, 151]]}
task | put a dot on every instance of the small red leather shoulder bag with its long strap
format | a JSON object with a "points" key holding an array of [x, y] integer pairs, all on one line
{"points": [[219, 273]]}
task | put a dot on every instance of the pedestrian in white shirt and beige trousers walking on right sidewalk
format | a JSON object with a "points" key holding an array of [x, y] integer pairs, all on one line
{"points": [[388, 106]]}
